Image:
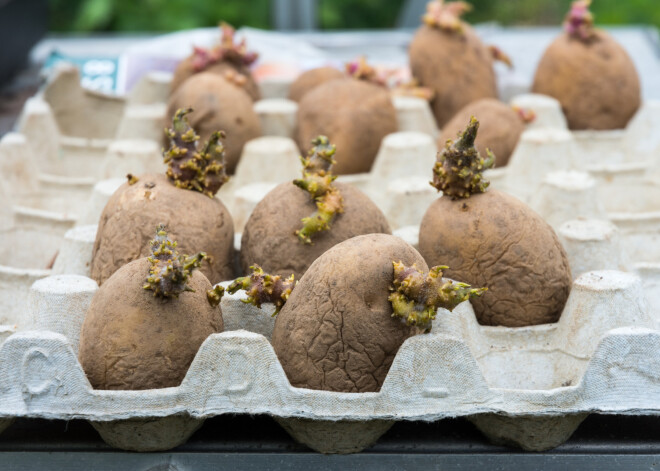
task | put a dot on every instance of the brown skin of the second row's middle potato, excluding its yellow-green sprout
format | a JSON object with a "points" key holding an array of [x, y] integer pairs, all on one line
{"points": [[269, 238]]}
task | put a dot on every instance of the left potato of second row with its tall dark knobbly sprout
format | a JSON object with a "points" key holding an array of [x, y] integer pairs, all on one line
{"points": [[183, 200]]}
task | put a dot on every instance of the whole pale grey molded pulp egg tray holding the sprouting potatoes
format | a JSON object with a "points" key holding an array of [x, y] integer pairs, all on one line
{"points": [[529, 387]]}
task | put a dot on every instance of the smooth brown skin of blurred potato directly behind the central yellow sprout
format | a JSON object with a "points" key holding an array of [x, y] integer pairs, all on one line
{"points": [[355, 115]]}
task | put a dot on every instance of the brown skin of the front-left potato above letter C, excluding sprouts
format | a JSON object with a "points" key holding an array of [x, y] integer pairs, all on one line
{"points": [[133, 340]]}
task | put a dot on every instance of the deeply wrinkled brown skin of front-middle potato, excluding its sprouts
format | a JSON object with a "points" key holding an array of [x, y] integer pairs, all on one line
{"points": [[336, 332]]}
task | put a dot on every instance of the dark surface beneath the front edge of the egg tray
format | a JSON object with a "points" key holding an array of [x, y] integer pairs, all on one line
{"points": [[257, 442]]}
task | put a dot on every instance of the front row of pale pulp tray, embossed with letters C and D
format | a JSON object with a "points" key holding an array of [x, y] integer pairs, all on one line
{"points": [[512, 382]]}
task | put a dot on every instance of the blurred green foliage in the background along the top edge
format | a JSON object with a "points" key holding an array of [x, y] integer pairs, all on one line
{"points": [[170, 15]]}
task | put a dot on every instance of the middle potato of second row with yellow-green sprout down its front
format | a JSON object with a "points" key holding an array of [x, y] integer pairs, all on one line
{"points": [[298, 221]]}
